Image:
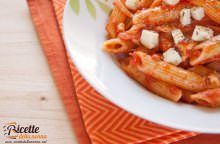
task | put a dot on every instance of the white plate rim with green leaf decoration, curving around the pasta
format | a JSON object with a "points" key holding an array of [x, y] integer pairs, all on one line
{"points": [[84, 33]]}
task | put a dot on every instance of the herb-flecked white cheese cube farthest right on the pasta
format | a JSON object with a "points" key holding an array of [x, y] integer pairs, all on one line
{"points": [[202, 33]]}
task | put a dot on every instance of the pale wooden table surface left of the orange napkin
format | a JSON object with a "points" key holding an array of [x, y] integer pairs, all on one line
{"points": [[27, 92]]}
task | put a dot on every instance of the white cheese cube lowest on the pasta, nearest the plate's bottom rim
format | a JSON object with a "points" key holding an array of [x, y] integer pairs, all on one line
{"points": [[172, 56]]}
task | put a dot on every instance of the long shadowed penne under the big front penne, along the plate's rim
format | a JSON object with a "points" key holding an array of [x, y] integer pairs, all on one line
{"points": [[158, 87]]}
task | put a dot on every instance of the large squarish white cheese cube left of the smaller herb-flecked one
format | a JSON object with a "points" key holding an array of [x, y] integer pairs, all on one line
{"points": [[150, 39]]}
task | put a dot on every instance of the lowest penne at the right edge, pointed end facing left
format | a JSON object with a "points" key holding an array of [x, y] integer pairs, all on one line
{"points": [[209, 98]]}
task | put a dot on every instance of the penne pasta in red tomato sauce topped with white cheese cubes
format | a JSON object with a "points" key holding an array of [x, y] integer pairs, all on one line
{"points": [[171, 47]]}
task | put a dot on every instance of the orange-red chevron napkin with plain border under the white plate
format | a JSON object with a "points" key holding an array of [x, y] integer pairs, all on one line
{"points": [[94, 119]]}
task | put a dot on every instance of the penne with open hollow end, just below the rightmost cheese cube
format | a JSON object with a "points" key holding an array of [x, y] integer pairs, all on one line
{"points": [[205, 52]]}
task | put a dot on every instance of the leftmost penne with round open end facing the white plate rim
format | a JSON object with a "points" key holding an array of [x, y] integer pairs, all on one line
{"points": [[117, 45]]}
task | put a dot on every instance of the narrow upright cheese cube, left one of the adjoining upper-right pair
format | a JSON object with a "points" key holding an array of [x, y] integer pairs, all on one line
{"points": [[185, 17]]}
